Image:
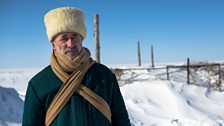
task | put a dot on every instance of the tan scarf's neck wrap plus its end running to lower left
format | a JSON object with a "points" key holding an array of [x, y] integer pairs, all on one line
{"points": [[62, 66]]}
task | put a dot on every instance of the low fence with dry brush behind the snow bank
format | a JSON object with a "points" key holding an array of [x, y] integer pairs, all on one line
{"points": [[213, 74]]}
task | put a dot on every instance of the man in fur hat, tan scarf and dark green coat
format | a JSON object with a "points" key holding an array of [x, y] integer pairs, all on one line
{"points": [[73, 90]]}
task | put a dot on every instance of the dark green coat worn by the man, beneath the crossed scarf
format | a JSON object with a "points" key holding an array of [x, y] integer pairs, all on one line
{"points": [[77, 112]]}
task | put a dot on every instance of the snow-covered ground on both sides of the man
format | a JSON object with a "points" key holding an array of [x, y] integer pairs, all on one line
{"points": [[151, 100]]}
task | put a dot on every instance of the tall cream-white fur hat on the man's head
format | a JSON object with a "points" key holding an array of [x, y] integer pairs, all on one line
{"points": [[64, 19]]}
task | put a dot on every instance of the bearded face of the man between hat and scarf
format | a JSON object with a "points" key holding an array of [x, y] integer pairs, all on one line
{"points": [[68, 43]]}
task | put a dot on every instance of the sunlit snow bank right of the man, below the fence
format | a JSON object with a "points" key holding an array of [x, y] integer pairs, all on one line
{"points": [[158, 102]]}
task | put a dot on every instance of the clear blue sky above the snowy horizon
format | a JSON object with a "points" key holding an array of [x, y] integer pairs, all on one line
{"points": [[177, 29]]}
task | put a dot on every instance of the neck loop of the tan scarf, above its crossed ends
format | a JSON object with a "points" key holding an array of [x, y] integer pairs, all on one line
{"points": [[64, 67]]}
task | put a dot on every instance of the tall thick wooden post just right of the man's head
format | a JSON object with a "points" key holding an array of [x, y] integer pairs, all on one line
{"points": [[97, 38]]}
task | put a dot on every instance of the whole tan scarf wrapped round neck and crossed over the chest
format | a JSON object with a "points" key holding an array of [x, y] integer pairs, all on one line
{"points": [[62, 66]]}
